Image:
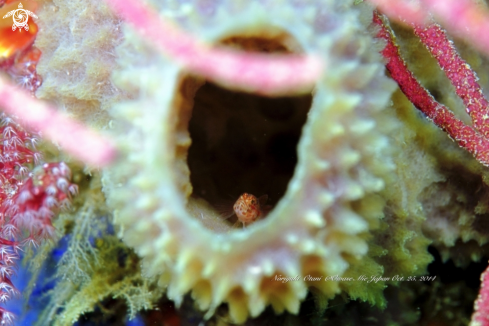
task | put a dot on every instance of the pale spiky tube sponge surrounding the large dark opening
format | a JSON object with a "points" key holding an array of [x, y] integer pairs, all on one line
{"points": [[322, 221]]}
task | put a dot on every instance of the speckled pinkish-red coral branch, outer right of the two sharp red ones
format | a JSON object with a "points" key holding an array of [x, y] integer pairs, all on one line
{"points": [[459, 73]]}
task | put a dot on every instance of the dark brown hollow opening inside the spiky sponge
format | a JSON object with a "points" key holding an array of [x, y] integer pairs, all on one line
{"points": [[242, 142]]}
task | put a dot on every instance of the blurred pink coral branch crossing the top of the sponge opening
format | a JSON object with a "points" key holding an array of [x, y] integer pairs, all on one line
{"points": [[264, 74]]}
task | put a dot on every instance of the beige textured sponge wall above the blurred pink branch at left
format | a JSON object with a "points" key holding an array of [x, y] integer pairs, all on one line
{"points": [[77, 39]]}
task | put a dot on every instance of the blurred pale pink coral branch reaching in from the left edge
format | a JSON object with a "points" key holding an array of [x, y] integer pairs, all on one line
{"points": [[72, 136]]}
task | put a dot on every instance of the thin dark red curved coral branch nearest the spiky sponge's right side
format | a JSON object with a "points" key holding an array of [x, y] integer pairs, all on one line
{"points": [[465, 136]]}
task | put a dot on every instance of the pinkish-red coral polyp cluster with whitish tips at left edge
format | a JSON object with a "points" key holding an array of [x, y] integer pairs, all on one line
{"points": [[28, 200]]}
